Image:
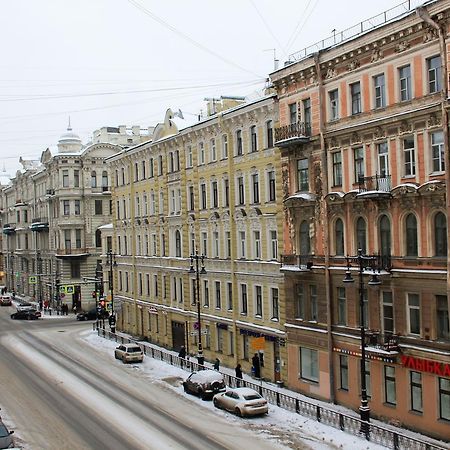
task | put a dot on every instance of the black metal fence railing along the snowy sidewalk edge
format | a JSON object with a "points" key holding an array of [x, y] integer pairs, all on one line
{"points": [[374, 433]]}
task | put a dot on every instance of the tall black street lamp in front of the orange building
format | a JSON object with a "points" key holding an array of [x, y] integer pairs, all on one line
{"points": [[363, 262]]}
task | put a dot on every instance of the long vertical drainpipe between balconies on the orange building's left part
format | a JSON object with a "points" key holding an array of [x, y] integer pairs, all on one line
{"points": [[325, 231]]}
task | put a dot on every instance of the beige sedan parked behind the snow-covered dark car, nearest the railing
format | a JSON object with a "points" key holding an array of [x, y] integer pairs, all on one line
{"points": [[242, 401]]}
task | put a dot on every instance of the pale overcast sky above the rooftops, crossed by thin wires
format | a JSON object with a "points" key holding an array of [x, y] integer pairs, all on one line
{"points": [[124, 62]]}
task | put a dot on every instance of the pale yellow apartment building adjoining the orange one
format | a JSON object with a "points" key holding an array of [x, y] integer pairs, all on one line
{"points": [[212, 188]]}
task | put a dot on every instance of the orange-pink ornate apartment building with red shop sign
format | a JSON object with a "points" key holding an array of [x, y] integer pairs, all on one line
{"points": [[364, 140]]}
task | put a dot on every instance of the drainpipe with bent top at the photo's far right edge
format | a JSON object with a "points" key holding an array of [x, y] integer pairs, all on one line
{"points": [[425, 16]]}
